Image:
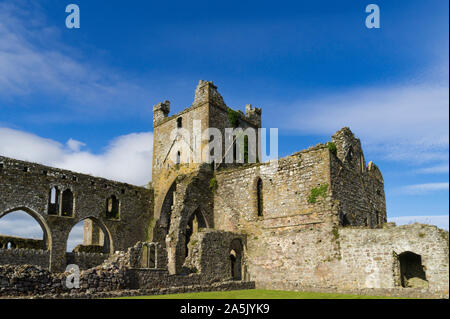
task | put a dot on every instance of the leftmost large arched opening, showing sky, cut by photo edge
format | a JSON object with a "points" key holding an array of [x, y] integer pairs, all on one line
{"points": [[22, 228]]}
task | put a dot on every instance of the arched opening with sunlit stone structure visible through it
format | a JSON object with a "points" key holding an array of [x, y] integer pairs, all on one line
{"points": [[89, 236]]}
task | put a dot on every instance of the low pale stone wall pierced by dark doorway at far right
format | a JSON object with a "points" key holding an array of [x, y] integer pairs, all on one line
{"points": [[369, 257]]}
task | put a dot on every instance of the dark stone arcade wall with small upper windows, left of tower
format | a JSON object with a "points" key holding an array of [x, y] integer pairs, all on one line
{"points": [[26, 186]]}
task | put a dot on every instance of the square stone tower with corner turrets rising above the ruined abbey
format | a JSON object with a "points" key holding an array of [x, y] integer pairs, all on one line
{"points": [[173, 155]]}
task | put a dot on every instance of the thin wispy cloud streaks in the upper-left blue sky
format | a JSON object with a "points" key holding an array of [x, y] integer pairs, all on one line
{"points": [[35, 62]]}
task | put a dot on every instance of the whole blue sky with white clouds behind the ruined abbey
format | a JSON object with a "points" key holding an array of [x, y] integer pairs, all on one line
{"points": [[312, 66]]}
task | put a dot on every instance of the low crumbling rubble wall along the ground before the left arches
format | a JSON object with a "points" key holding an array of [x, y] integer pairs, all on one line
{"points": [[115, 274]]}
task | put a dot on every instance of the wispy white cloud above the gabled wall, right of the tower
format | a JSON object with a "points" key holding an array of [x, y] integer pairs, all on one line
{"points": [[403, 123]]}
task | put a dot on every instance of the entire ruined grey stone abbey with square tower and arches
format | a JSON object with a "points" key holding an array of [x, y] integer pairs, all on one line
{"points": [[315, 221]]}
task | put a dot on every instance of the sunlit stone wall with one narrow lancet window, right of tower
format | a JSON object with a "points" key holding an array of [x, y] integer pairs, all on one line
{"points": [[294, 236]]}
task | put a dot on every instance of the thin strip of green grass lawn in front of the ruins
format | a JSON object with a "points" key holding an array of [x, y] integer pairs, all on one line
{"points": [[258, 294]]}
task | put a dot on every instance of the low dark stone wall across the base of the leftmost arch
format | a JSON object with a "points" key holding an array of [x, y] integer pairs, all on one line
{"points": [[25, 256]]}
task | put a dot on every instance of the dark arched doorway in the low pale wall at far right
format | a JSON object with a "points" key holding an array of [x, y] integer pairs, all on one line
{"points": [[412, 272]]}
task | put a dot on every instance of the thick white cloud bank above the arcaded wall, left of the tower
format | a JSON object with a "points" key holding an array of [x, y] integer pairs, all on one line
{"points": [[127, 158]]}
